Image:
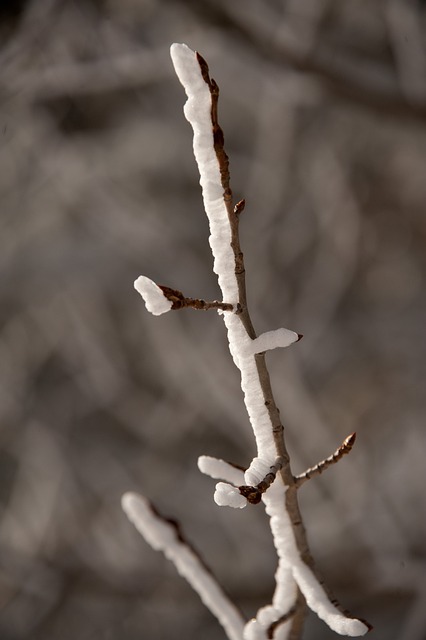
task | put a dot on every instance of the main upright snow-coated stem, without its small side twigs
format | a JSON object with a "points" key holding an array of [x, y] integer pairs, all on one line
{"points": [[281, 499]]}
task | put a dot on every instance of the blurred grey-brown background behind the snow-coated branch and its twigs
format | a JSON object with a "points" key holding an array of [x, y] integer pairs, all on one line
{"points": [[323, 104]]}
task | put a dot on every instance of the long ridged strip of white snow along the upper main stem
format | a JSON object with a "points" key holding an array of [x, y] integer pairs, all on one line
{"points": [[198, 112]]}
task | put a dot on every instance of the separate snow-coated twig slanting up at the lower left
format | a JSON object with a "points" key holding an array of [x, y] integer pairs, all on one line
{"points": [[162, 536]]}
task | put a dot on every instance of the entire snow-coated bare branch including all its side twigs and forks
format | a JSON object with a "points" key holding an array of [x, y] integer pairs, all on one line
{"points": [[269, 477]]}
